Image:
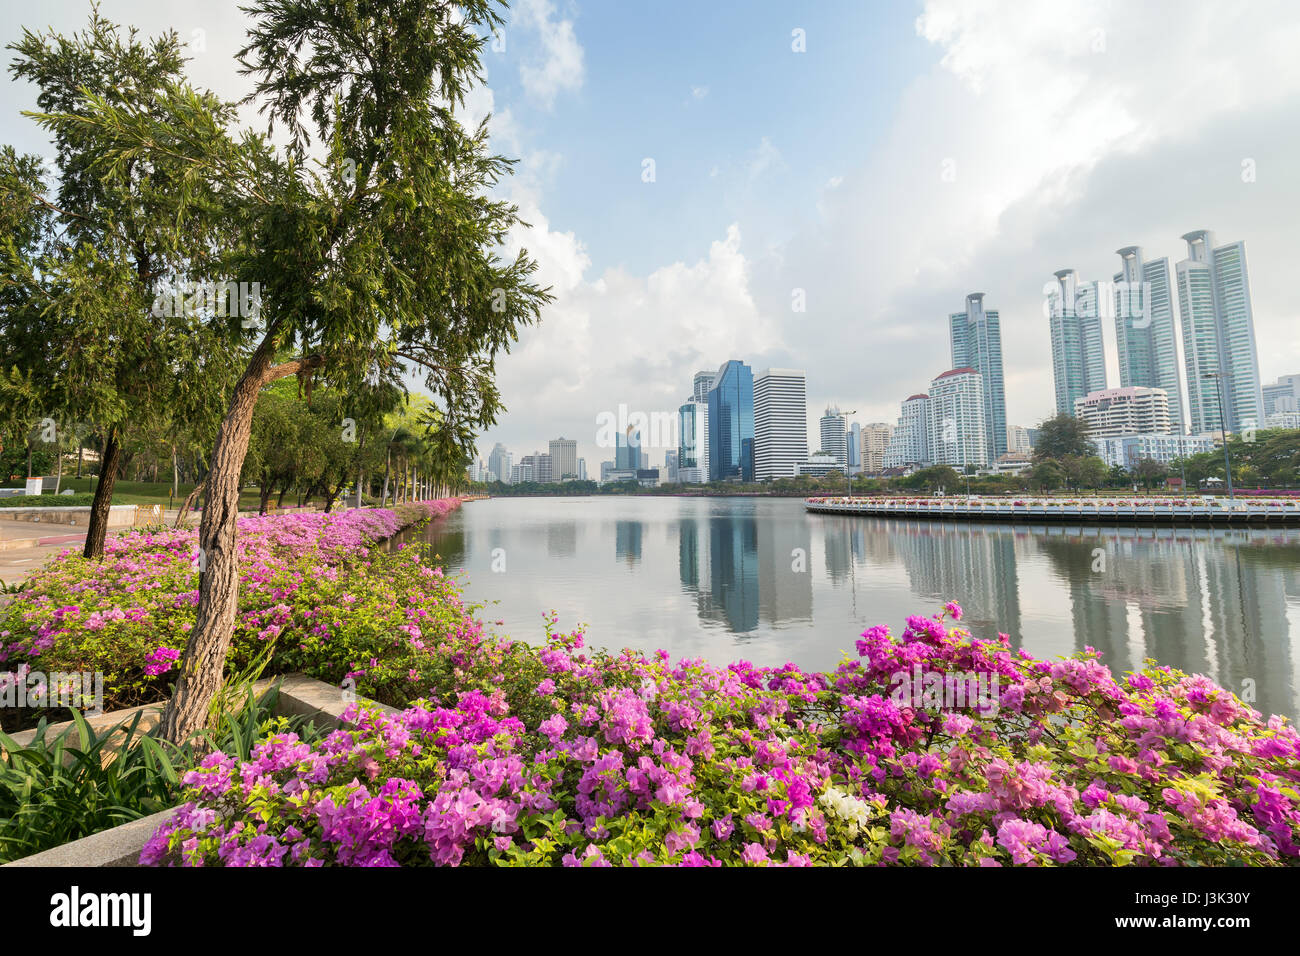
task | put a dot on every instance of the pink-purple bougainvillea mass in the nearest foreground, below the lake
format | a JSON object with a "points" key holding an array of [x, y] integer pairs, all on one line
{"points": [[551, 756]]}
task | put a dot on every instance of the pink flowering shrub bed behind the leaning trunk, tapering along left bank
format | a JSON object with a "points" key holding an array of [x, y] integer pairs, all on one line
{"points": [[129, 616]]}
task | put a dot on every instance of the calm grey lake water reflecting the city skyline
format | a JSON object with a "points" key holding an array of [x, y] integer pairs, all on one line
{"points": [[762, 581]]}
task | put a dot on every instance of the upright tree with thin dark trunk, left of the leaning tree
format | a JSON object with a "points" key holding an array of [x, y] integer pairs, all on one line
{"points": [[102, 352]]}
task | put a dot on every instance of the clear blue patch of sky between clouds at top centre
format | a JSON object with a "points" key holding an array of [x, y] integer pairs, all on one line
{"points": [[700, 88]]}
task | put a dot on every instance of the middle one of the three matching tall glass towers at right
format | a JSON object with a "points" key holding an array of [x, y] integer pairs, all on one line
{"points": [[1145, 331]]}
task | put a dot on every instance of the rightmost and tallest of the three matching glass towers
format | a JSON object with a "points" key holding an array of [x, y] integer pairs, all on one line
{"points": [[1219, 336]]}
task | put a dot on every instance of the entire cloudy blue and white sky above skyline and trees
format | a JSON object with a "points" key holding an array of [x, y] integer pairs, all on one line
{"points": [[694, 174]]}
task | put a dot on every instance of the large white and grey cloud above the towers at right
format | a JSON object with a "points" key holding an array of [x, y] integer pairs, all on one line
{"points": [[1046, 118]]}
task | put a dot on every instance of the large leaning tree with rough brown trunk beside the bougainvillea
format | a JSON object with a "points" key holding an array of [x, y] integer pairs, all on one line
{"points": [[384, 259]]}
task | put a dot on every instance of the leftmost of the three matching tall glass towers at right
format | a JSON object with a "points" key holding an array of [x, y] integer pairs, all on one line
{"points": [[1078, 352]]}
